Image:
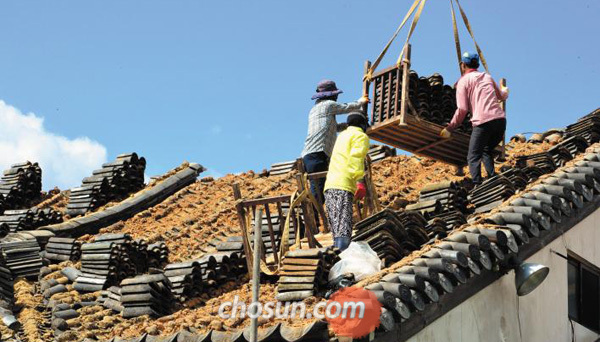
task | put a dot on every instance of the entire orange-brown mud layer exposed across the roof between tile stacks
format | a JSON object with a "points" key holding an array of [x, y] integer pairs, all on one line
{"points": [[188, 220]]}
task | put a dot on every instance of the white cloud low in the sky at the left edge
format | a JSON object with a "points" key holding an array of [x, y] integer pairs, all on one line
{"points": [[64, 161]]}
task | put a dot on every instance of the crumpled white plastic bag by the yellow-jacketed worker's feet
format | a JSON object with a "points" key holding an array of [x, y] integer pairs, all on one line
{"points": [[358, 259]]}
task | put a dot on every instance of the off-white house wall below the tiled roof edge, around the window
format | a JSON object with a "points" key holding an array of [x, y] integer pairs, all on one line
{"points": [[491, 314]]}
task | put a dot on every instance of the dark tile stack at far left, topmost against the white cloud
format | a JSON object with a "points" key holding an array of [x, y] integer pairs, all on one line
{"points": [[21, 184]]}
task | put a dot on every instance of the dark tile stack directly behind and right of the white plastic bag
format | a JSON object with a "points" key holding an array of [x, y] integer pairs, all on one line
{"points": [[386, 235]]}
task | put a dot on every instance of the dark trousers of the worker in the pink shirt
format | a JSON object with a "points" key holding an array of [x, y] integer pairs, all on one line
{"points": [[484, 140]]}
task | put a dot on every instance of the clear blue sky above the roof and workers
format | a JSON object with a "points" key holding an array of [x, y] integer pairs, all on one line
{"points": [[228, 83]]}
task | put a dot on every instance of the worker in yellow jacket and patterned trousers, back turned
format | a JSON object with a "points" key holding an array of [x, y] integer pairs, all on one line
{"points": [[344, 178]]}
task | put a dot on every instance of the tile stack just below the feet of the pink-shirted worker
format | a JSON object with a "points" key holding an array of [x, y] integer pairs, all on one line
{"points": [[492, 192]]}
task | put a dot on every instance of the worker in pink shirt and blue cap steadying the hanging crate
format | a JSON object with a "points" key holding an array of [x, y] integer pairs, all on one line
{"points": [[477, 93]]}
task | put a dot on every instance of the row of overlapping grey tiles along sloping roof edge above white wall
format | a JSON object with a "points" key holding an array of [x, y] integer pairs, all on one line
{"points": [[537, 213]]}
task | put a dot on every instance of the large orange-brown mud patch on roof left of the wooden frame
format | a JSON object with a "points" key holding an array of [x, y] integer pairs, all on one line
{"points": [[201, 212]]}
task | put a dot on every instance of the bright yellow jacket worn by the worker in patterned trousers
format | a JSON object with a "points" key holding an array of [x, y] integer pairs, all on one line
{"points": [[347, 165]]}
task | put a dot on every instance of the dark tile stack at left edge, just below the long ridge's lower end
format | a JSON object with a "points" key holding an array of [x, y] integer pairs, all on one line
{"points": [[21, 258]]}
